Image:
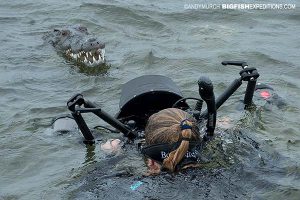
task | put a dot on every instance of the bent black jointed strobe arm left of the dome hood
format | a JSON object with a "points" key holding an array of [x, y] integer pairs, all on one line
{"points": [[75, 105]]}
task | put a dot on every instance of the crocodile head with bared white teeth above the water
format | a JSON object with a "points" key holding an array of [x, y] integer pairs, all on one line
{"points": [[77, 44]]}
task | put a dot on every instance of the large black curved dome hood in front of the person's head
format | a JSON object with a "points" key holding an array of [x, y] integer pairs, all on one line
{"points": [[143, 96]]}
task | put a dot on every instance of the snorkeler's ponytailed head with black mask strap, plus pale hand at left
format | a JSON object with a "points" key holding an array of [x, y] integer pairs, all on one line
{"points": [[171, 141]]}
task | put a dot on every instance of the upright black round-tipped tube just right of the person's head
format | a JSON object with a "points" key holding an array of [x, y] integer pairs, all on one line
{"points": [[207, 94]]}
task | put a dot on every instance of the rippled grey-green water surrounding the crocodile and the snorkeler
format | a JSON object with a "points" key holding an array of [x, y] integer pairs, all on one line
{"points": [[141, 38]]}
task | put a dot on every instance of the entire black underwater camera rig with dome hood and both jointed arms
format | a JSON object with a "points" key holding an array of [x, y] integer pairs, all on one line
{"points": [[145, 95]]}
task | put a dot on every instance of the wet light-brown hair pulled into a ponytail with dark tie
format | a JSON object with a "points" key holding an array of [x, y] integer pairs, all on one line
{"points": [[170, 126]]}
